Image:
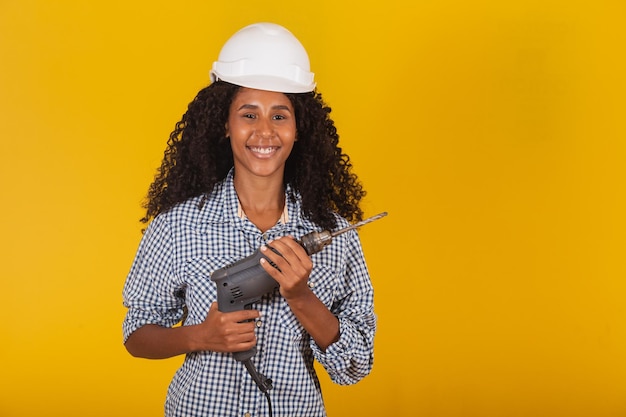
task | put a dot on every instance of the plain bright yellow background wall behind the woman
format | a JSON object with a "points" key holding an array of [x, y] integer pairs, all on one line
{"points": [[493, 132]]}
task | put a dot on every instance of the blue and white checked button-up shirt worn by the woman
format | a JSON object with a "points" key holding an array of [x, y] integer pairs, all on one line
{"points": [[171, 271]]}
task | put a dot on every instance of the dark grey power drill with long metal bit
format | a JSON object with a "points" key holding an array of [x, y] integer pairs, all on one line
{"points": [[244, 282]]}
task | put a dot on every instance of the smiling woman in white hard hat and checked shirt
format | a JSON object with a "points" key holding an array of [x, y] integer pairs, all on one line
{"points": [[254, 162]]}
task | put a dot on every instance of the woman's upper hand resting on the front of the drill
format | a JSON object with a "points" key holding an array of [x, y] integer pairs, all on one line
{"points": [[293, 267]]}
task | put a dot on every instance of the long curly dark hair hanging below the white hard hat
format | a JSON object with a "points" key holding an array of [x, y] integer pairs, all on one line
{"points": [[198, 155]]}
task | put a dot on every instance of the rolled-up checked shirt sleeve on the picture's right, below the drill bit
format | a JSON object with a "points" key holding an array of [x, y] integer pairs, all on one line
{"points": [[351, 358]]}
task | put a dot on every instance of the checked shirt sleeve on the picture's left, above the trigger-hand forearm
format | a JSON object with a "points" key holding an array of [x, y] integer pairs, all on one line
{"points": [[150, 290]]}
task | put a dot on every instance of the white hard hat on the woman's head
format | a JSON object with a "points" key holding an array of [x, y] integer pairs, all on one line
{"points": [[264, 56]]}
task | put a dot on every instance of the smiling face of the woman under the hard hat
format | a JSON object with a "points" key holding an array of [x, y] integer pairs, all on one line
{"points": [[262, 130]]}
